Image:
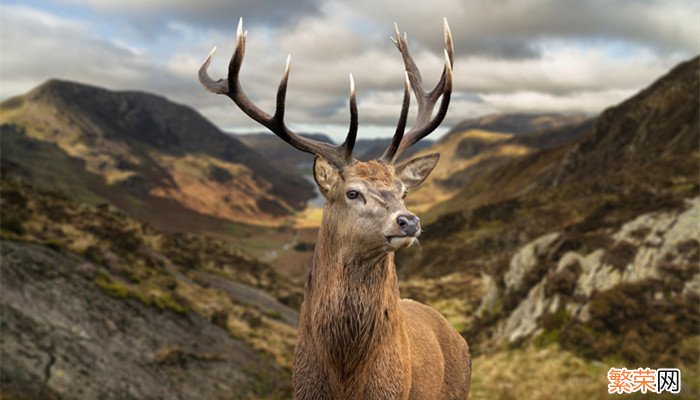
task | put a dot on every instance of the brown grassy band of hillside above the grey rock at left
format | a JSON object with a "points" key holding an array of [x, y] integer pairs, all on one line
{"points": [[166, 271]]}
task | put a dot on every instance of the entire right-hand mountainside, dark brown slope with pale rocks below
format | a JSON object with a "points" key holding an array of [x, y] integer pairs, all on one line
{"points": [[591, 245]]}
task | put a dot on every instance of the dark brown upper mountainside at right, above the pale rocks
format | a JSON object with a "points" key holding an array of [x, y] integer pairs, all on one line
{"points": [[643, 145]]}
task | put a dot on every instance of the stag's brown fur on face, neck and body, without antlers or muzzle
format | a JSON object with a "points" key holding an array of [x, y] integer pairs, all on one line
{"points": [[357, 338]]}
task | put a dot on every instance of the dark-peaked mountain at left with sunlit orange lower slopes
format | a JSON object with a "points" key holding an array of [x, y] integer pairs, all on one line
{"points": [[159, 161]]}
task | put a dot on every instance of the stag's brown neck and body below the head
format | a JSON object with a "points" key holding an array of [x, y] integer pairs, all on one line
{"points": [[359, 340]]}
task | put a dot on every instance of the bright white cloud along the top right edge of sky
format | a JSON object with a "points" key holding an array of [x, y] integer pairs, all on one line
{"points": [[665, 26]]}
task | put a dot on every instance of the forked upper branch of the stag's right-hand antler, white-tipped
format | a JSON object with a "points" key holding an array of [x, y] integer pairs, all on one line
{"points": [[425, 123]]}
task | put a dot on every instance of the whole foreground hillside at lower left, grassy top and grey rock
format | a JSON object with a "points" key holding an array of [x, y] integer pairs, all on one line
{"points": [[97, 305]]}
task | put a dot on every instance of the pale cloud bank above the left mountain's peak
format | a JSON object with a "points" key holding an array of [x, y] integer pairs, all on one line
{"points": [[38, 45]]}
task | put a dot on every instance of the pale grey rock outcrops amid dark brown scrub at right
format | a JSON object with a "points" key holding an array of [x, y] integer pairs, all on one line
{"points": [[649, 266]]}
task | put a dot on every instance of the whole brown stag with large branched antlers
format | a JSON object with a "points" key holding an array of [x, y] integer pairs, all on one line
{"points": [[357, 339]]}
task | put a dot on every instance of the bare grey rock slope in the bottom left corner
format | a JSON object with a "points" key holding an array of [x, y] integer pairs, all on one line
{"points": [[64, 338]]}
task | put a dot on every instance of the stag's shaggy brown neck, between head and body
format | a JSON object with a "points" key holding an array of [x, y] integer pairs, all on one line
{"points": [[351, 303]]}
